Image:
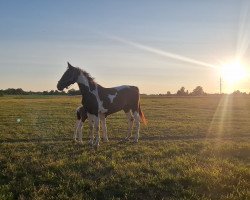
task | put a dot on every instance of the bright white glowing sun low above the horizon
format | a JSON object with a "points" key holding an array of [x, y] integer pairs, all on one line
{"points": [[233, 72]]}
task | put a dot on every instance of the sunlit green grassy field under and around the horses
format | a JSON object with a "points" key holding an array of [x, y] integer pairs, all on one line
{"points": [[192, 148]]}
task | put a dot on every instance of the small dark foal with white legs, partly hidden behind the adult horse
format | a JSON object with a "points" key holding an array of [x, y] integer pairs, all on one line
{"points": [[81, 116]]}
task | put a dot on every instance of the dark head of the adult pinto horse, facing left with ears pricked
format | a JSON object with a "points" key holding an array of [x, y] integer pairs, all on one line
{"points": [[69, 77]]}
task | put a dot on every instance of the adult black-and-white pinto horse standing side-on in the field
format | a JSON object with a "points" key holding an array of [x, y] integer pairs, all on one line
{"points": [[101, 102]]}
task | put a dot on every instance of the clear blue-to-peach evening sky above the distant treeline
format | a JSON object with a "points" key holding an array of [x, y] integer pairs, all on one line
{"points": [[158, 46]]}
